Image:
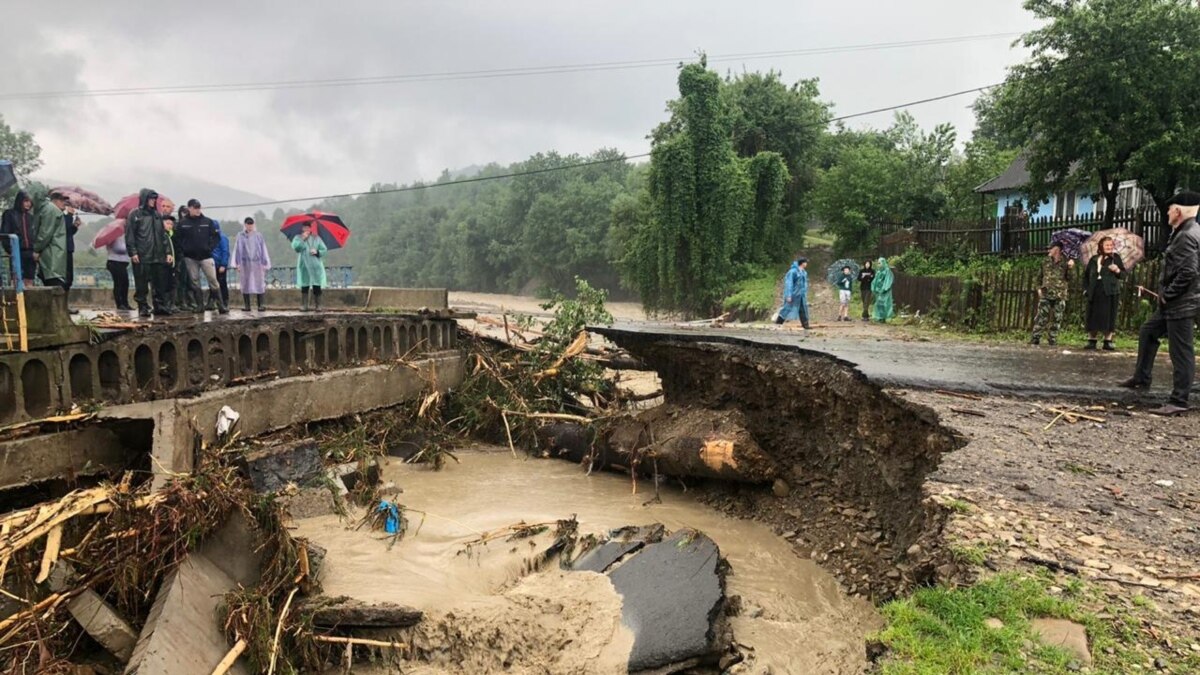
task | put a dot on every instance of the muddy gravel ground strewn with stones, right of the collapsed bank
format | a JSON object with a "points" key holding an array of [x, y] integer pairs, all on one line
{"points": [[1114, 501]]}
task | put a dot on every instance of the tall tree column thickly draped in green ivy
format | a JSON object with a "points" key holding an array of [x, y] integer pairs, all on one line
{"points": [[705, 206]]}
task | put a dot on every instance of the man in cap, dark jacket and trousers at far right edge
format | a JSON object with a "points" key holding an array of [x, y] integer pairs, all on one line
{"points": [[1179, 302]]}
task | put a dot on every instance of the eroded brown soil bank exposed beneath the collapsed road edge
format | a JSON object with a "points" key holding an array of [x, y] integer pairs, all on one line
{"points": [[854, 459]]}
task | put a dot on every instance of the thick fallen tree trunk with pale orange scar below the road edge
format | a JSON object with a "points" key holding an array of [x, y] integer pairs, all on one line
{"points": [[667, 440]]}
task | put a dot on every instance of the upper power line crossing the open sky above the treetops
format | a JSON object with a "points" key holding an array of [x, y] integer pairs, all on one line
{"points": [[220, 88]]}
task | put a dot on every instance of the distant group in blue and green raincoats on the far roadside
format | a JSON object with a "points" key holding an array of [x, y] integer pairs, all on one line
{"points": [[875, 288]]}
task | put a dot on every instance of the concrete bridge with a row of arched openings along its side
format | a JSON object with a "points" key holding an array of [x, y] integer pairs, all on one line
{"points": [[158, 385]]}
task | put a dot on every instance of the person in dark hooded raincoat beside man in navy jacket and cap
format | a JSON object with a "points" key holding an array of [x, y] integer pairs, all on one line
{"points": [[149, 249]]}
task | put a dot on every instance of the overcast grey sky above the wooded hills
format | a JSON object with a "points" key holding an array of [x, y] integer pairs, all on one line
{"points": [[319, 141]]}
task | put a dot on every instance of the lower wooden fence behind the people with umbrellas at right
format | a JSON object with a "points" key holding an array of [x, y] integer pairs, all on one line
{"points": [[1009, 300]]}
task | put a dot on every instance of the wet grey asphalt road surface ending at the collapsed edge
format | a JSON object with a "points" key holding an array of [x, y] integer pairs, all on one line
{"points": [[962, 367]]}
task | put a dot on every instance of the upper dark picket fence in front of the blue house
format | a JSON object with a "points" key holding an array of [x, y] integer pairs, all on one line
{"points": [[1018, 236]]}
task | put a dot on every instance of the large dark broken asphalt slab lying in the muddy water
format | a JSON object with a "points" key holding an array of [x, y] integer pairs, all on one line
{"points": [[673, 596]]}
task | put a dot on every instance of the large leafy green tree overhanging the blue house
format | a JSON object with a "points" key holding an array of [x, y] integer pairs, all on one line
{"points": [[1109, 92]]}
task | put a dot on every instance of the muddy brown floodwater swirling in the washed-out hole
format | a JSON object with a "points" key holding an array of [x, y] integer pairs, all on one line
{"points": [[795, 618]]}
